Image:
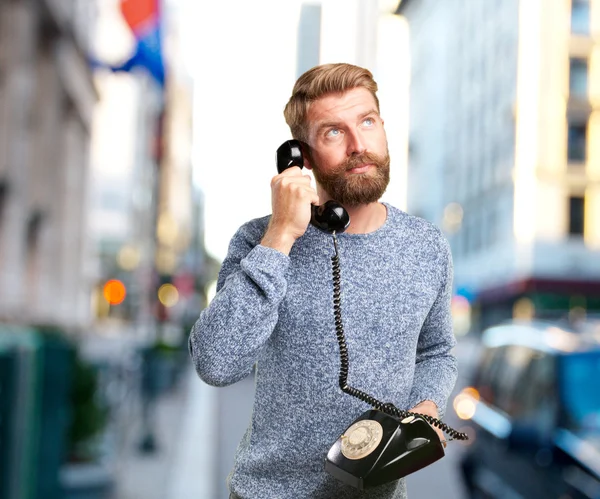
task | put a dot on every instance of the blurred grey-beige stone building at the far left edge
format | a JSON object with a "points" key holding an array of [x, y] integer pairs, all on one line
{"points": [[46, 103]]}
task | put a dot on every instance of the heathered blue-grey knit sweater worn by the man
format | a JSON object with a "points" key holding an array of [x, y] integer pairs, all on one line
{"points": [[276, 311]]}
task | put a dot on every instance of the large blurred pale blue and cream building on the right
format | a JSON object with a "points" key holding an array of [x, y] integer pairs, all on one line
{"points": [[503, 154]]}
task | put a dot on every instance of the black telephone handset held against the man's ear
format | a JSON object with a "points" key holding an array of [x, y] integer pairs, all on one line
{"points": [[329, 217]]}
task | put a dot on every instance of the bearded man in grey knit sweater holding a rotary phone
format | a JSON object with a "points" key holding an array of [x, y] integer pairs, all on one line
{"points": [[274, 304]]}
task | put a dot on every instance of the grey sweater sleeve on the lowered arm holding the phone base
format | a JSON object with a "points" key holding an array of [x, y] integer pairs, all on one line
{"points": [[436, 367]]}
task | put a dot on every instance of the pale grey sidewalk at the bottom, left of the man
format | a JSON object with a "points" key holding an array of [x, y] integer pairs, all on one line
{"points": [[182, 466]]}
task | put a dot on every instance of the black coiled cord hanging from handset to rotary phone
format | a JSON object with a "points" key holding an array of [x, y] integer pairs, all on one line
{"points": [[388, 408]]}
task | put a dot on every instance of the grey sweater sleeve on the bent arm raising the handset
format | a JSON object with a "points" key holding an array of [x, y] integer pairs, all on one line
{"points": [[226, 340]]}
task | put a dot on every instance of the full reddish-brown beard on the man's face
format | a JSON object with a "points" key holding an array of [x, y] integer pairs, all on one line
{"points": [[356, 188]]}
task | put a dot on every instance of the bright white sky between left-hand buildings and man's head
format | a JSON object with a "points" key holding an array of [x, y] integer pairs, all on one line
{"points": [[244, 62]]}
